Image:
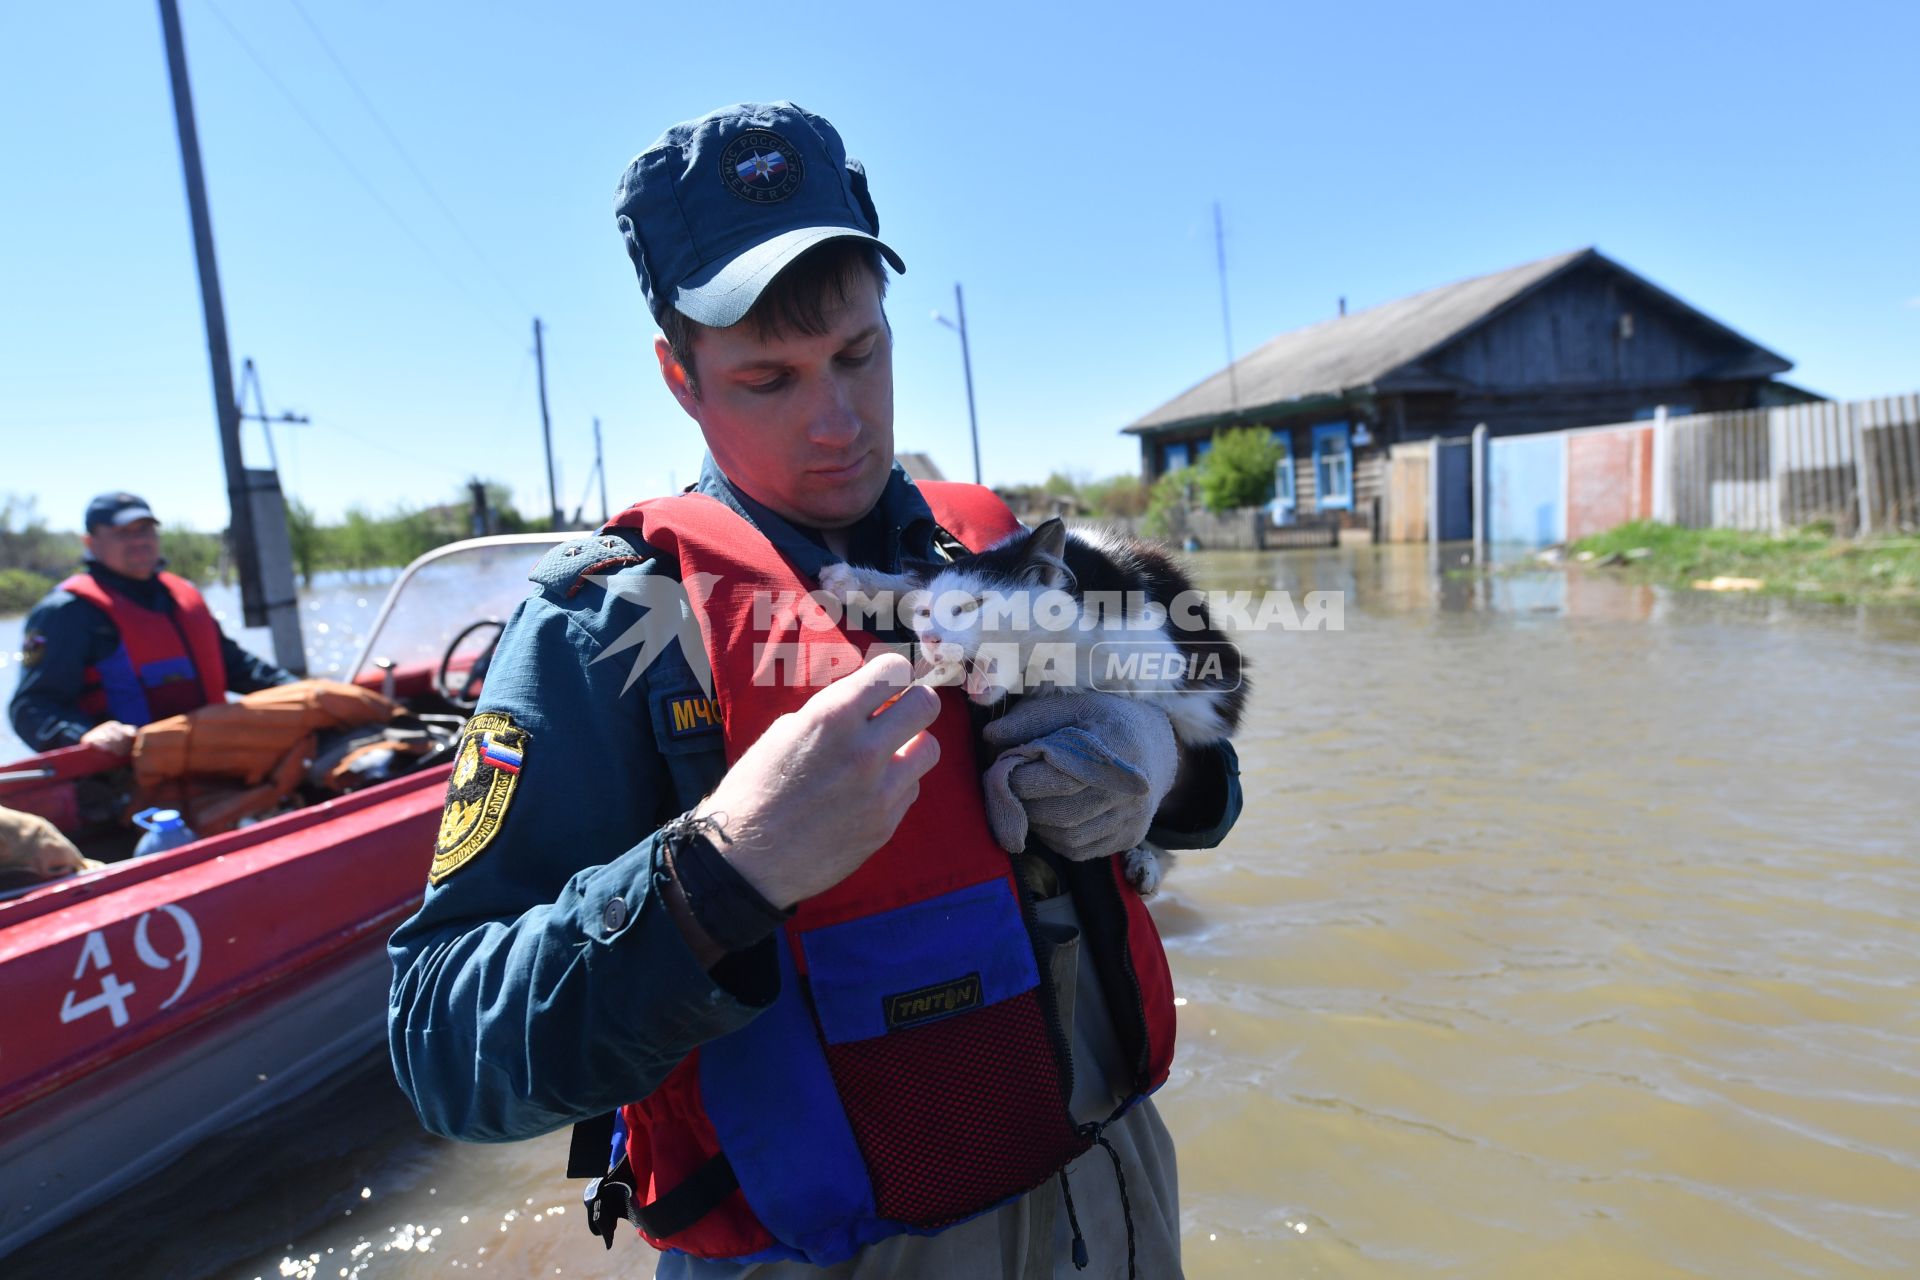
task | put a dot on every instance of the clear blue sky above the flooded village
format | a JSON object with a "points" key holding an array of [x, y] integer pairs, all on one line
{"points": [[1760, 160]]}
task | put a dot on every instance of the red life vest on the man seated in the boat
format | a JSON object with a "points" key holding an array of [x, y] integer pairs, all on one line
{"points": [[166, 663]]}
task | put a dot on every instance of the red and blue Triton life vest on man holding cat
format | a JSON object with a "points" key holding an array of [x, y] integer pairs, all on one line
{"points": [[913, 1070]]}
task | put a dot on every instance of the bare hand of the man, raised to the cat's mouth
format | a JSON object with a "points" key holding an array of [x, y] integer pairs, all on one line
{"points": [[828, 784]]}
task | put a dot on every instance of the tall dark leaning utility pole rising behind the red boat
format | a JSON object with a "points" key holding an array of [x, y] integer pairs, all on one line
{"points": [[283, 609]]}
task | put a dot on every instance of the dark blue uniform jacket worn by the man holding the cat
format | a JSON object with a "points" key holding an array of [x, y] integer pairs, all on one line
{"points": [[544, 982]]}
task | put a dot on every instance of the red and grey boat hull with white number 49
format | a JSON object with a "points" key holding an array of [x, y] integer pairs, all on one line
{"points": [[162, 1001]]}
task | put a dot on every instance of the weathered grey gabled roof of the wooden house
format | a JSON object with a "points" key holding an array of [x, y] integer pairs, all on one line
{"points": [[1355, 352]]}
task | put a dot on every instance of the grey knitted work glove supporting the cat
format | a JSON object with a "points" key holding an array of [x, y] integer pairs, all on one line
{"points": [[1084, 772]]}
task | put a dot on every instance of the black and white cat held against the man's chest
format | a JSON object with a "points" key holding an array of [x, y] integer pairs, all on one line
{"points": [[1049, 611]]}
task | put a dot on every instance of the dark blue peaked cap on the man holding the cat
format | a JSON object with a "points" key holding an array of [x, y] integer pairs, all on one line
{"points": [[721, 206]]}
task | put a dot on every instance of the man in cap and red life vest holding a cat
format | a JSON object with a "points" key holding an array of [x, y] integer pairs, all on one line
{"points": [[635, 865]]}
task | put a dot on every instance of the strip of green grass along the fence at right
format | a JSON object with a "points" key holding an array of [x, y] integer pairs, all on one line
{"points": [[1804, 563]]}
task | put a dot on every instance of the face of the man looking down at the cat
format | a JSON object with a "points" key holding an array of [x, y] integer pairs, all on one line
{"points": [[800, 423]]}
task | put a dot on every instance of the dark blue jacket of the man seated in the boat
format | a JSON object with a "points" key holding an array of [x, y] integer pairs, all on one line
{"points": [[66, 636]]}
